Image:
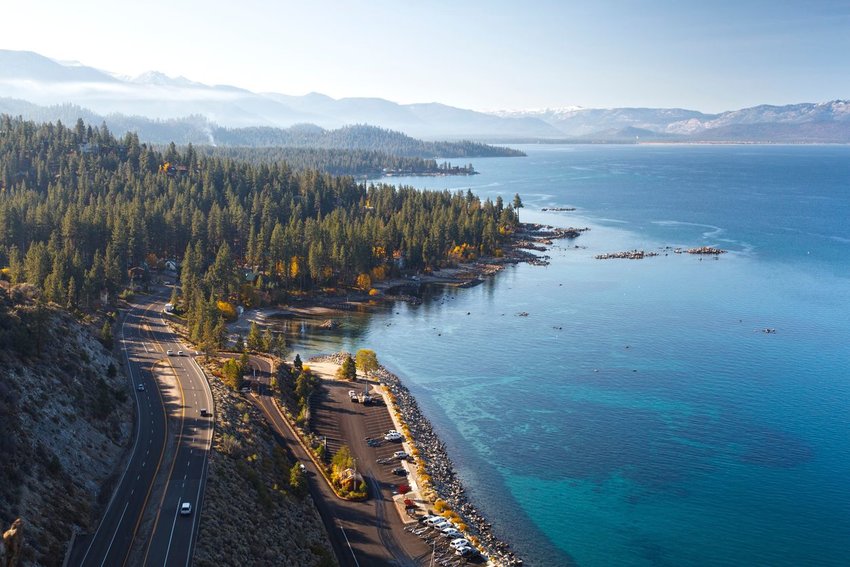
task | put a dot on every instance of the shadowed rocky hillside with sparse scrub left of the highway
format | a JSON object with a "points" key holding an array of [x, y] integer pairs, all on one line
{"points": [[66, 420]]}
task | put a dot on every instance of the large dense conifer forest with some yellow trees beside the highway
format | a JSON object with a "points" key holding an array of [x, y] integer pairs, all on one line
{"points": [[82, 212]]}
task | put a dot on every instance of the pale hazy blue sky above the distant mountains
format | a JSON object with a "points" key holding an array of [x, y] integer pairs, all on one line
{"points": [[708, 55]]}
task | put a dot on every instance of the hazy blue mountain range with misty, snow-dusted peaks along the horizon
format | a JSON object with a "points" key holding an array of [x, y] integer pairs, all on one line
{"points": [[43, 82]]}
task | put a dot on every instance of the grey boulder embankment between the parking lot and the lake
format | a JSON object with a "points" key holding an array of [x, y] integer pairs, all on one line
{"points": [[439, 466]]}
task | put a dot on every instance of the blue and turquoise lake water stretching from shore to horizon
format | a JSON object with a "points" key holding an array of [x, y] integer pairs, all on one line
{"points": [[638, 415]]}
